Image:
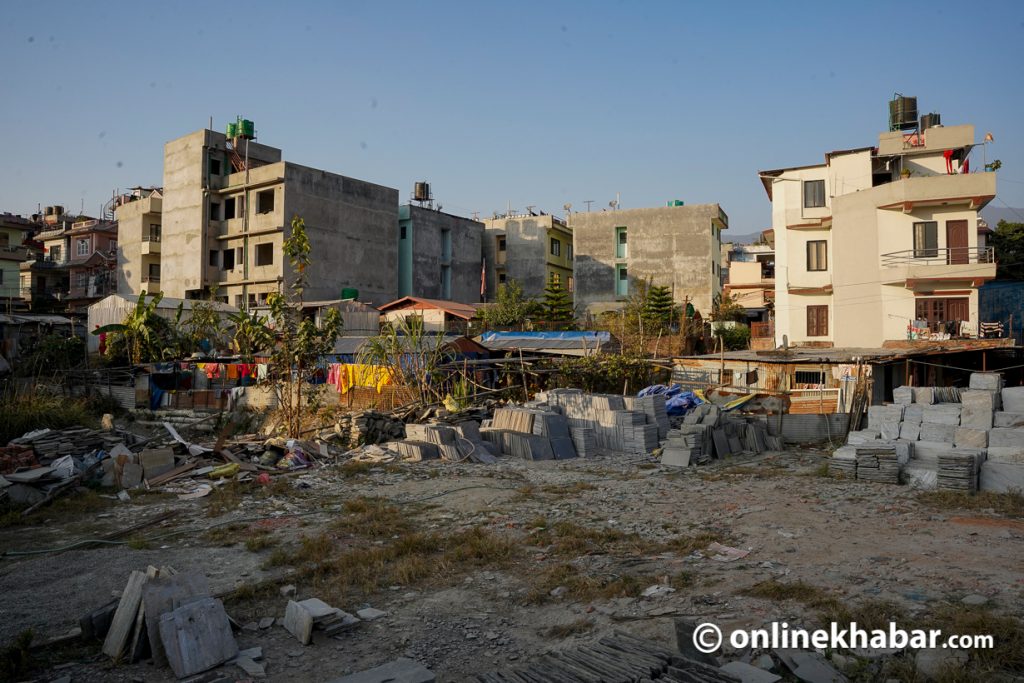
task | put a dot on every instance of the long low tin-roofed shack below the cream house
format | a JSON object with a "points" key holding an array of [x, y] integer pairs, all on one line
{"points": [[821, 380]]}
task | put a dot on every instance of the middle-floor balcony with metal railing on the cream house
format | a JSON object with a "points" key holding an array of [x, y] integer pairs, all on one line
{"points": [[972, 266]]}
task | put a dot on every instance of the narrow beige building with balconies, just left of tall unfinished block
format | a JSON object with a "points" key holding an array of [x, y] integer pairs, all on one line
{"points": [[135, 220]]}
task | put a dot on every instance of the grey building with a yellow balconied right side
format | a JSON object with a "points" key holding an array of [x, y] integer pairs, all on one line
{"points": [[535, 250]]}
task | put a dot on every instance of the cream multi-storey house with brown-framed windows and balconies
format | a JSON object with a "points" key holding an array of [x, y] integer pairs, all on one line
{"points": [[877, 239]]}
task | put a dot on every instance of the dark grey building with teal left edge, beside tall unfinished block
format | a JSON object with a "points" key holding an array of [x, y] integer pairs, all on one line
{"points": [[440, 255]]}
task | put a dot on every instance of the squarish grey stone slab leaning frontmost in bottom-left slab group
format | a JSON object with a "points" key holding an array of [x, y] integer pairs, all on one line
{"points": [[197, 637]]}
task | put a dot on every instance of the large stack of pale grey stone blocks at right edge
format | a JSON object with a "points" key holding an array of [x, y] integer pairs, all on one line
{"points": [[961, 440]]}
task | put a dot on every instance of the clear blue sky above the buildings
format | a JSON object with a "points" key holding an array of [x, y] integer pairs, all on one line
{"points": [[530, 103]]}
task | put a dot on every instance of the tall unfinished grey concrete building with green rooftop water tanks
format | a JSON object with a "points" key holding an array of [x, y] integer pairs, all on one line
{"points": [[227, 209]]}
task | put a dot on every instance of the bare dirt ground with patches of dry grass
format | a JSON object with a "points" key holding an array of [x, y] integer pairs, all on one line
{"points": [[482, 567]]}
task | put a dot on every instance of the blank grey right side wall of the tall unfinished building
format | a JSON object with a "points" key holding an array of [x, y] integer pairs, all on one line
{"points": [[354, 230]]}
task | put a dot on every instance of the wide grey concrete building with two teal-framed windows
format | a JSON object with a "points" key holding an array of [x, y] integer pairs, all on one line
{"points": [[675, 246]]}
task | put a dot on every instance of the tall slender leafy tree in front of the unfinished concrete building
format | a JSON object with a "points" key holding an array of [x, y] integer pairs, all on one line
{"points": [[301, 345]]}
